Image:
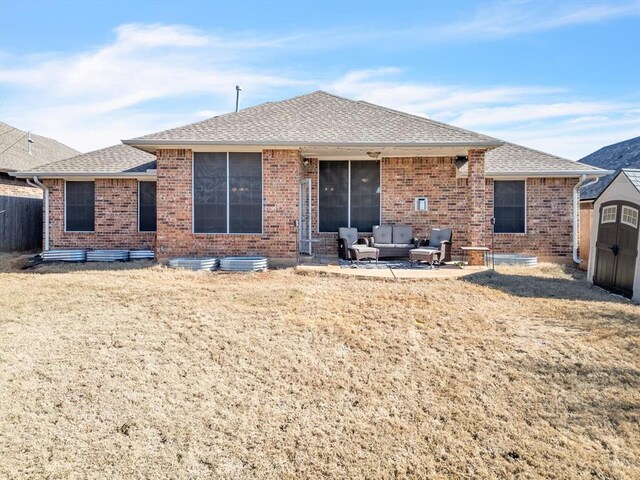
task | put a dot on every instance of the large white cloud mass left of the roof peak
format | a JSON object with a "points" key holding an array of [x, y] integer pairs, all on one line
{"points": [[95, 98]]}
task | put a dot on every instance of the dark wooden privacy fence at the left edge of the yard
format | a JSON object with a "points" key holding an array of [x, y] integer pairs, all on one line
{"points": [[20, 224]]}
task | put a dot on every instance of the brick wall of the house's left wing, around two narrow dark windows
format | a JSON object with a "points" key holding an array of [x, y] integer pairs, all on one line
{"points": [[116, 218]]}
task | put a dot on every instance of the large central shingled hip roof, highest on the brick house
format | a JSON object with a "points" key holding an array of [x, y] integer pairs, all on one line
{"points": [[317, 118]]}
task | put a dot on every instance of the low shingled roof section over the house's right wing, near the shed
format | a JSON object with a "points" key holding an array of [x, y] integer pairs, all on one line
{"points": [[515, 160]]}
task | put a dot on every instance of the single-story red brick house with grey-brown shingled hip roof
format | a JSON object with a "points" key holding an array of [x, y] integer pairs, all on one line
{"points": [[267, 178]]}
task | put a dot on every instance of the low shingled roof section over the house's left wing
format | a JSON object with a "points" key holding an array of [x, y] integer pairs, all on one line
{"points": [[118, 160]]}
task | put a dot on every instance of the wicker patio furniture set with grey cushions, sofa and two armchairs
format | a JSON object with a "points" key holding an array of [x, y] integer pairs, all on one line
{"points": [[395, 241]]}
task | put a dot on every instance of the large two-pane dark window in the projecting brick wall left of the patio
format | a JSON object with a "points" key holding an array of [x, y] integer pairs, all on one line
{"points": [[227, 192]]}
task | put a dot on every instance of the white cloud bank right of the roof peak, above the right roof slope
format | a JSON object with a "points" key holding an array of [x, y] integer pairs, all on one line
{"points": [[547, 119]]}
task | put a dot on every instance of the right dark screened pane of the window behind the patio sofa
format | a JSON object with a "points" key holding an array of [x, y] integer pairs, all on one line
{"points": [[365, 195]]}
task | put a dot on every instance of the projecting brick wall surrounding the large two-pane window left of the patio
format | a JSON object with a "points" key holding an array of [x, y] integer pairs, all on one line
{"points": [[279, 239]]}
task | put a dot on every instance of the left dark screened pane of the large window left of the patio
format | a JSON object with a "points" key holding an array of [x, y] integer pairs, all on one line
{"points": [[210, 193]]}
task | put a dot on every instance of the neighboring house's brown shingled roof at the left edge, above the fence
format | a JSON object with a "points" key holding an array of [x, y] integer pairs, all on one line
{"points": [[14, 150]]}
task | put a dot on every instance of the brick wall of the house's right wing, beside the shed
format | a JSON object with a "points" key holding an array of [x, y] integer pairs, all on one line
{"points": [[549, 220]]}
